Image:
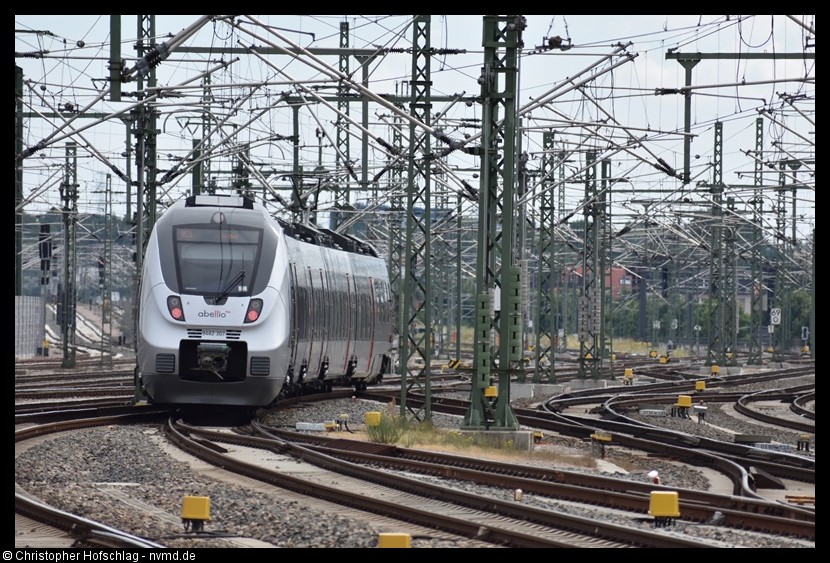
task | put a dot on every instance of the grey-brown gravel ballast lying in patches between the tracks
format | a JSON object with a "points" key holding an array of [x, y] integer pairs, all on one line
{"points": [[69, 472]]}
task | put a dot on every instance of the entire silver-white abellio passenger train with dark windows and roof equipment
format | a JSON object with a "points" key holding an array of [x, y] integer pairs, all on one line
{"points": [[237, 307]]}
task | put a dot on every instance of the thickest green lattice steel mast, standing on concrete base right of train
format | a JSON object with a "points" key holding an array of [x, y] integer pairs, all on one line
{"points": [[502, 40]]}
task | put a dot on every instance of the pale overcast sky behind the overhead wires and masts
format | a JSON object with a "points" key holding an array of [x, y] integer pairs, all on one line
{"points": [[599, 94]]}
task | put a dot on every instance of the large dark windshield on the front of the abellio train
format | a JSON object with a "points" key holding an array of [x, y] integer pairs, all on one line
{"points": [[217, 260]]}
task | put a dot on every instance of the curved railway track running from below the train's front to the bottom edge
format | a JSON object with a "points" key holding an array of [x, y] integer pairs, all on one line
{"points": [[434, 506]]}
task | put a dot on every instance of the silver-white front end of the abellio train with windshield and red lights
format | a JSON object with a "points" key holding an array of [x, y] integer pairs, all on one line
{"points": [[208, 338]]}
